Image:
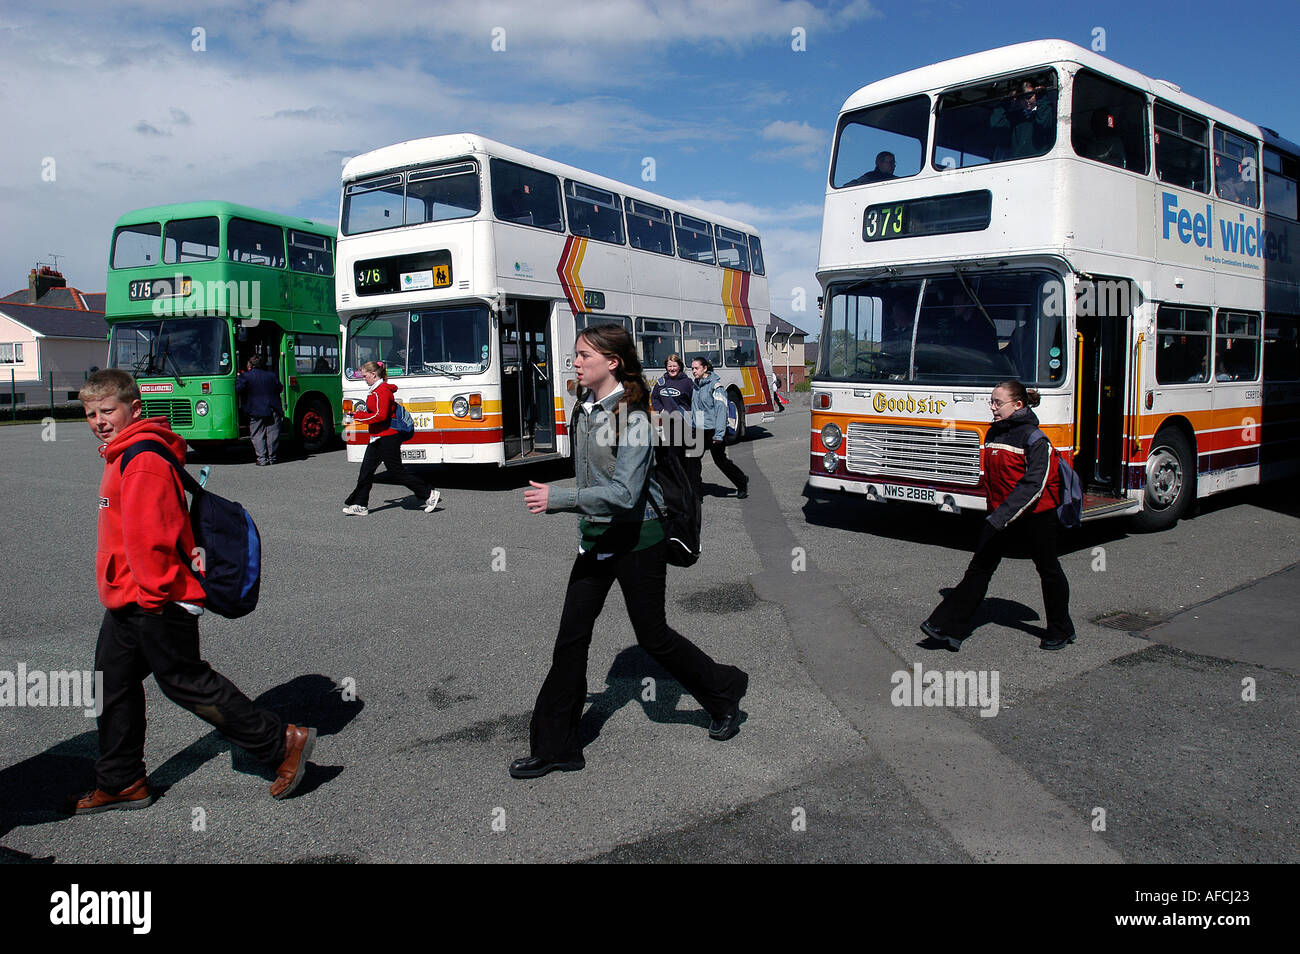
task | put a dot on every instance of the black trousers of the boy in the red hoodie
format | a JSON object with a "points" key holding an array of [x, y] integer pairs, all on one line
{"points": [[132, 645]]}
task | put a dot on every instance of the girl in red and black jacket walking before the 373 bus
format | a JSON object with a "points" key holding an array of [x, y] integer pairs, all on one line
{"points": [[1024, 493]]}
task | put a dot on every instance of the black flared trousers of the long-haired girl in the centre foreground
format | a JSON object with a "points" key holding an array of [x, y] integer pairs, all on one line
{"points": [[642, 578]]}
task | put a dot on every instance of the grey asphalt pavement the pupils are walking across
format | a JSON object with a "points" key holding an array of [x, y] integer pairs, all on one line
{"points": [[418, 643]]}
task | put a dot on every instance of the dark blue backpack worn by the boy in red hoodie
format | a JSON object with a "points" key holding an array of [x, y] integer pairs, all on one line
{"points": [[232, 548]]}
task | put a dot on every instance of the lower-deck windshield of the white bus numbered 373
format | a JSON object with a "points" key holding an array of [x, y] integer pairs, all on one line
{"points": [[970, 331]]}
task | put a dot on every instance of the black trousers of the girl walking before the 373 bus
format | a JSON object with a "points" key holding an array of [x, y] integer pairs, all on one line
{"points": [[1039, 531]]}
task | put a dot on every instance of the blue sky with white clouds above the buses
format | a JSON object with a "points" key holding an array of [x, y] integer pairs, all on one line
{"points": [[734, 116]]}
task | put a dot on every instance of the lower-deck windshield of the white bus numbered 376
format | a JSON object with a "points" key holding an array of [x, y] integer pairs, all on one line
{"points": [[445, 342]]}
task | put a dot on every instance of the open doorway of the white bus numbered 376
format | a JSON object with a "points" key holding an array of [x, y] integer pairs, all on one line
{"points": [[528, 410]]}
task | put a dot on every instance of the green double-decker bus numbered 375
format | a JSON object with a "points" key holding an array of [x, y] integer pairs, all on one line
{"points": [[197, 289]]}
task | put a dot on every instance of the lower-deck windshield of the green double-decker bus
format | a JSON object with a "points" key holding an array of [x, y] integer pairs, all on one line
{"points": [[171, 346]]}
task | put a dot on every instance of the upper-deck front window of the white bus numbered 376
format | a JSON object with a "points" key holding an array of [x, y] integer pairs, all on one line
{"points": [[432, 194]]}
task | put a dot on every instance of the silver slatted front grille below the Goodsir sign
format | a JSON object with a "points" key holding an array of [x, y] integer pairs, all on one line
{"points": [[944, 456]]}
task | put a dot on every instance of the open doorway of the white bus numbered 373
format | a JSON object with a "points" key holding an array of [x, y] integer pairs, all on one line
{"points": [[1103, 320]]}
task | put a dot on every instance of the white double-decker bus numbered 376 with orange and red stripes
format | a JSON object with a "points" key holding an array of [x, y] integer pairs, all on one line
{"points": [[470, 267]]}
